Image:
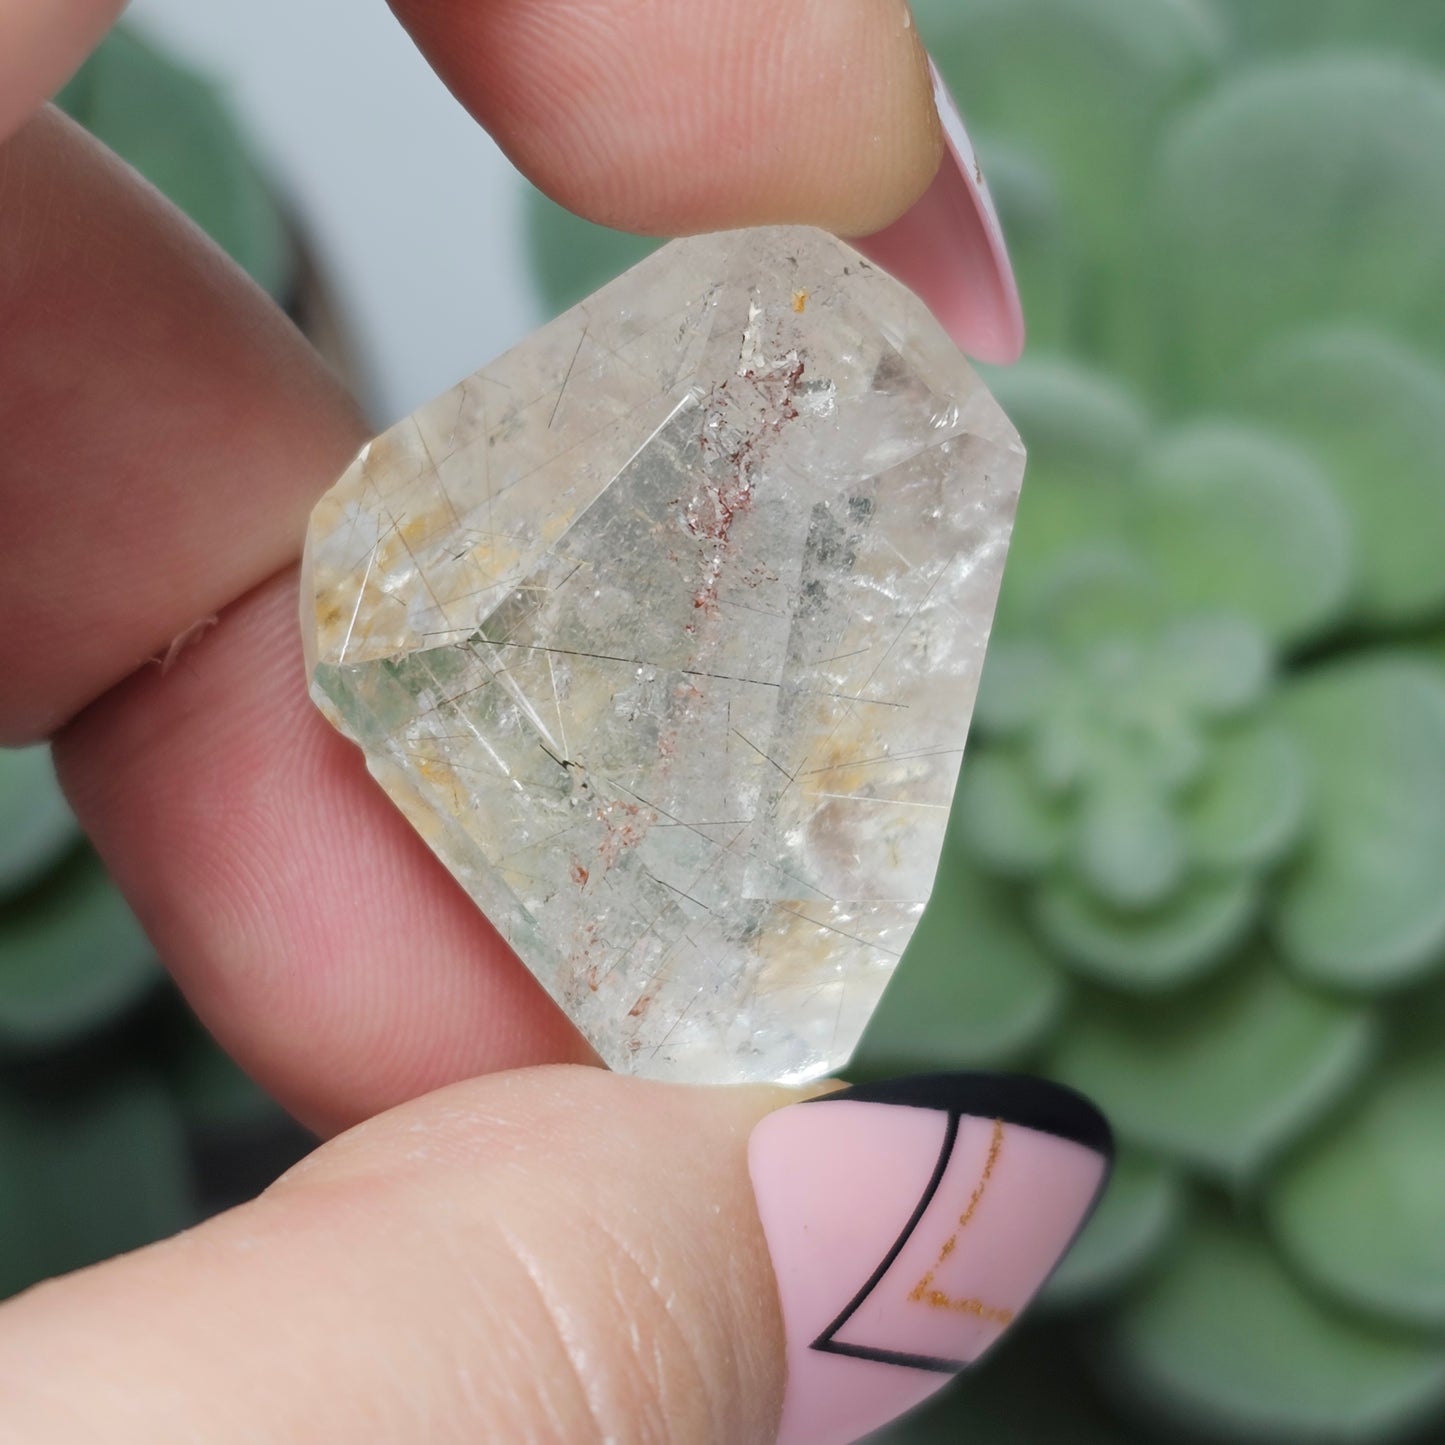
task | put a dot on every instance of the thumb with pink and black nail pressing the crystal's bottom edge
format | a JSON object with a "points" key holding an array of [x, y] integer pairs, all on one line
{"points": [[563, 1255]]}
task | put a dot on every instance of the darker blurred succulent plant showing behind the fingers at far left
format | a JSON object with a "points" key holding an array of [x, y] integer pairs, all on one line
{"points": [[115, 1105]]}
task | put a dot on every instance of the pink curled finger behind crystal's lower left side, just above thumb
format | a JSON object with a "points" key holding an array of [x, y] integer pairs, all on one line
{"points": [[307, 923]]}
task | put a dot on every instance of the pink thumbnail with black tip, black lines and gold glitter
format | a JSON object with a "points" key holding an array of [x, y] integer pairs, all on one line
{"points": [[910, 1223]]}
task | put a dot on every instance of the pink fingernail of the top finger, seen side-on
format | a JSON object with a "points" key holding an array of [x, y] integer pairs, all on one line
{"points": [[952, 252]]}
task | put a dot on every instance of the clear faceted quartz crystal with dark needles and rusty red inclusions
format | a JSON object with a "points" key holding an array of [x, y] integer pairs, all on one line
{"points": [[664, 632]]}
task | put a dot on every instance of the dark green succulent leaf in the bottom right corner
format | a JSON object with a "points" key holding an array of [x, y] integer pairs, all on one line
{"points": [[1225, 1345]]}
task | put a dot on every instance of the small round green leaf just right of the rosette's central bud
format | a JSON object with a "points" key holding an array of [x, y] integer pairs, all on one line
{"points": [[1249, 807]]}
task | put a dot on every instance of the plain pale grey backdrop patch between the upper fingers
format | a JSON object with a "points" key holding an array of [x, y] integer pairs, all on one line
{"points": [[417, 215]]}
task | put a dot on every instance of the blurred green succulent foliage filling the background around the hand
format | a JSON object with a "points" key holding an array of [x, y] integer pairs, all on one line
{"points": [[1199, 862]]}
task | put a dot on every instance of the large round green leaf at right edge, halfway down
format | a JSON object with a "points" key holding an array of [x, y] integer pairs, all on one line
{"points": [[1365, 905]]}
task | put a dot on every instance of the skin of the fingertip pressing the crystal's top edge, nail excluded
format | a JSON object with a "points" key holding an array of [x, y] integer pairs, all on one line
{"points": [[680, 116]]}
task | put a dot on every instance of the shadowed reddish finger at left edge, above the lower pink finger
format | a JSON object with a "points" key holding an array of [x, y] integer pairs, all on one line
{"points": [[165, 428]]}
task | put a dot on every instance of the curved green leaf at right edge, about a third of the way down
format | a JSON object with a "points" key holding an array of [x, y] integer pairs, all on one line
{"points": [[1372, 414]]}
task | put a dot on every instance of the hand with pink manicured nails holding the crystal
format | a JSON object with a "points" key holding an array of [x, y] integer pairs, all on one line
{"points": [[543, 1255]]}
